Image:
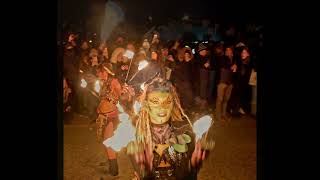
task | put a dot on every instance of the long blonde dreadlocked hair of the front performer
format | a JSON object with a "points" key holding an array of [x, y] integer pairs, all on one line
{"points": [[143, 133]]}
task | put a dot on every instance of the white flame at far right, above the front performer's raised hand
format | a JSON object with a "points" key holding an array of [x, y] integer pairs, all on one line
{"points": [[201, 126]]}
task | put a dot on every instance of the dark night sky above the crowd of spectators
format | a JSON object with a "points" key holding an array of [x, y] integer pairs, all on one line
{"points": [[138, 10]]}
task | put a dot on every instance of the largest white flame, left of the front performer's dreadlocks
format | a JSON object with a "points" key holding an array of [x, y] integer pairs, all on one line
{"points": [[124, 134]]}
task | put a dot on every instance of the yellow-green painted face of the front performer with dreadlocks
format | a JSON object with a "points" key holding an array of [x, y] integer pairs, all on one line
{"points": [[160, 106]]}
